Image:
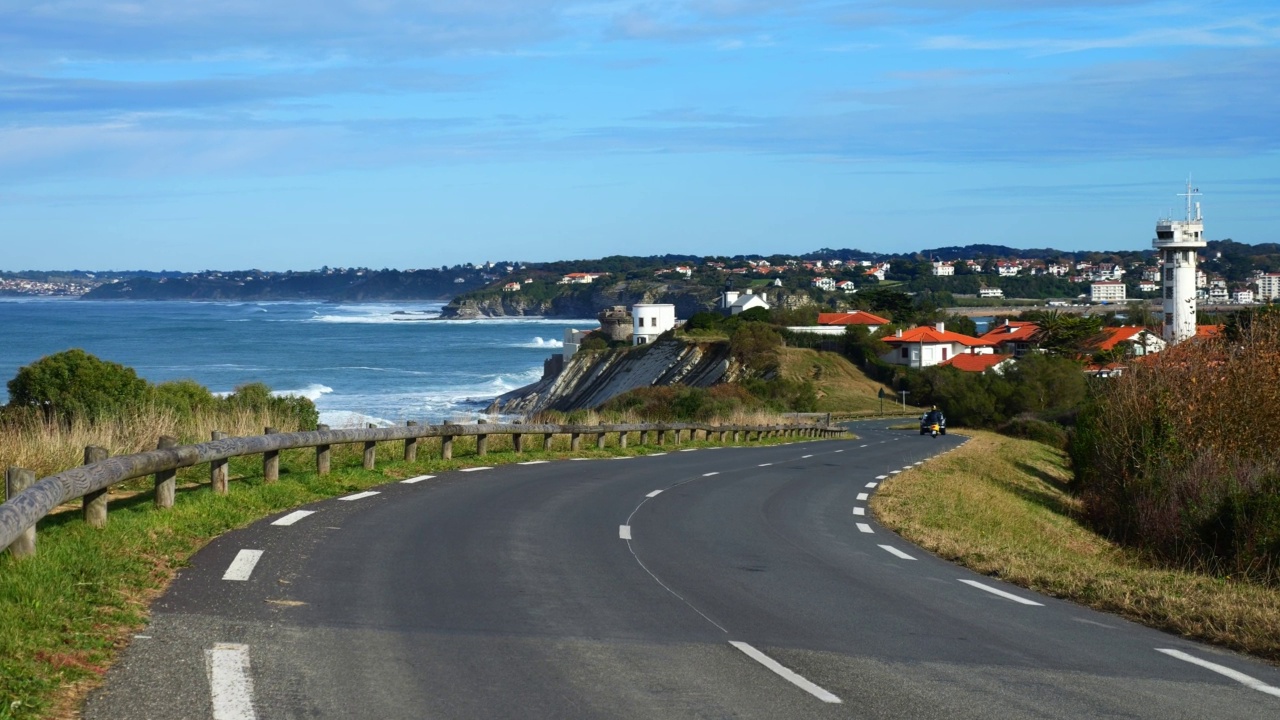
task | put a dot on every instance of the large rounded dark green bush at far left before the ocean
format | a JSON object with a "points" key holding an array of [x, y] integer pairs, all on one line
{"points": [[77, 385]]}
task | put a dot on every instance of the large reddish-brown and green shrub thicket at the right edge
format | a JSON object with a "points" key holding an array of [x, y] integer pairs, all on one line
{"points": [[1180, 455]]}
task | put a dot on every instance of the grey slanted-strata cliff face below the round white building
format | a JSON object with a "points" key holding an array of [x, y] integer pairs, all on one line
{"points": [[592, 379]]}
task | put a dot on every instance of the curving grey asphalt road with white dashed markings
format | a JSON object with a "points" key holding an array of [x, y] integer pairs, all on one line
{"points": [[715, 584]]}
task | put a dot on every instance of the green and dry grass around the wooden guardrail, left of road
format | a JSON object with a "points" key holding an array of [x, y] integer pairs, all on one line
{"points": [[67, 612]]}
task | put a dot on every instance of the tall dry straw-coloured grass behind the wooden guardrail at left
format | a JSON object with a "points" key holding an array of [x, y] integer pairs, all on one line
{"points": [[48, 446]]}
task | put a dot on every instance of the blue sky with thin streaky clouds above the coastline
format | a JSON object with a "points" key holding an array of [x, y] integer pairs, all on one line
{"points": [[395, 134]]}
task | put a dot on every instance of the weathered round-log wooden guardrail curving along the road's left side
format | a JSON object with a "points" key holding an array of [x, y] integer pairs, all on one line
{"points": [[31, 500]]}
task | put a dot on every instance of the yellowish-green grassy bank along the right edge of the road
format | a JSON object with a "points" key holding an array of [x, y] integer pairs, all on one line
{"points": [[1000, 507]]}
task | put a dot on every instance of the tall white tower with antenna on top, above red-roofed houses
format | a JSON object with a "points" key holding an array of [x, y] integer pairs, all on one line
{"points": [[1178, 241]]}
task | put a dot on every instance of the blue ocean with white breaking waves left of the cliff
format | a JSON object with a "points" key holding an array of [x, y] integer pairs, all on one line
{"points": [[362, 363]]}
